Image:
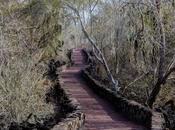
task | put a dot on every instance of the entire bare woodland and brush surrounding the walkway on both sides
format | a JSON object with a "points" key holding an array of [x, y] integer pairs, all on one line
{"points": [[132, 40]]}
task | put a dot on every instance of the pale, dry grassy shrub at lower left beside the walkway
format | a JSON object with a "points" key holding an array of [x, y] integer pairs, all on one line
{"points": [[21, 91]]}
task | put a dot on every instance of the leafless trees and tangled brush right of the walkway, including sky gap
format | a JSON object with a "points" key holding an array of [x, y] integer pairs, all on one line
{"points": [[133, 42]]}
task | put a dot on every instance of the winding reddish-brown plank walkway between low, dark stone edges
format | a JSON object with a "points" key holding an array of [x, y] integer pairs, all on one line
{"points": [[99, 114]]}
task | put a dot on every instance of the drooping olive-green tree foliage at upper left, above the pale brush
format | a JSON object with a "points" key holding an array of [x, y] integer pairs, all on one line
{"points": [[45, 15]]}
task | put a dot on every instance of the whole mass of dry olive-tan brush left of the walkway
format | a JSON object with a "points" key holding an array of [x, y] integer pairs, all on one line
{"points": [[22, 91]]}
